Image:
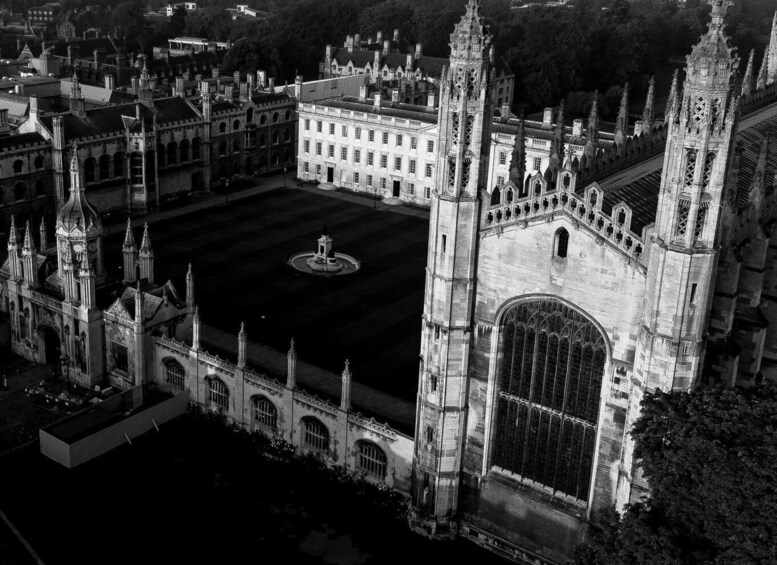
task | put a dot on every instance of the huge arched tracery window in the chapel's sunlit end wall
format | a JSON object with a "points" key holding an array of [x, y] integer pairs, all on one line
{"points": [[548, 401]]}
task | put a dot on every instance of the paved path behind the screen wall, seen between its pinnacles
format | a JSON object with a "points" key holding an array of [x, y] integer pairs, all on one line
{"points": [[382, 406]]}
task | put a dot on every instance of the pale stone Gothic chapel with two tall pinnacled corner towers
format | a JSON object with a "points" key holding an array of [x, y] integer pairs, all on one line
{"points": [[554, 304]]}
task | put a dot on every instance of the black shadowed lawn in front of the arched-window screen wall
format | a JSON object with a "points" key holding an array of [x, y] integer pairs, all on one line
{"points": [[197, 493]]}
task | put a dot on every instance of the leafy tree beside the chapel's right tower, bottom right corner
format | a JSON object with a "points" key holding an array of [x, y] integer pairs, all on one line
{"points": [[710, 457]]}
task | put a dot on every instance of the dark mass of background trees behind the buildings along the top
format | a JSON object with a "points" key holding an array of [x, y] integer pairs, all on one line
{"points": [[554, 52]]}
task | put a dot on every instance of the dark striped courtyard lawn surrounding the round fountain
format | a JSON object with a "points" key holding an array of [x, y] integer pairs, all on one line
{"points": [[239, 255]]}
